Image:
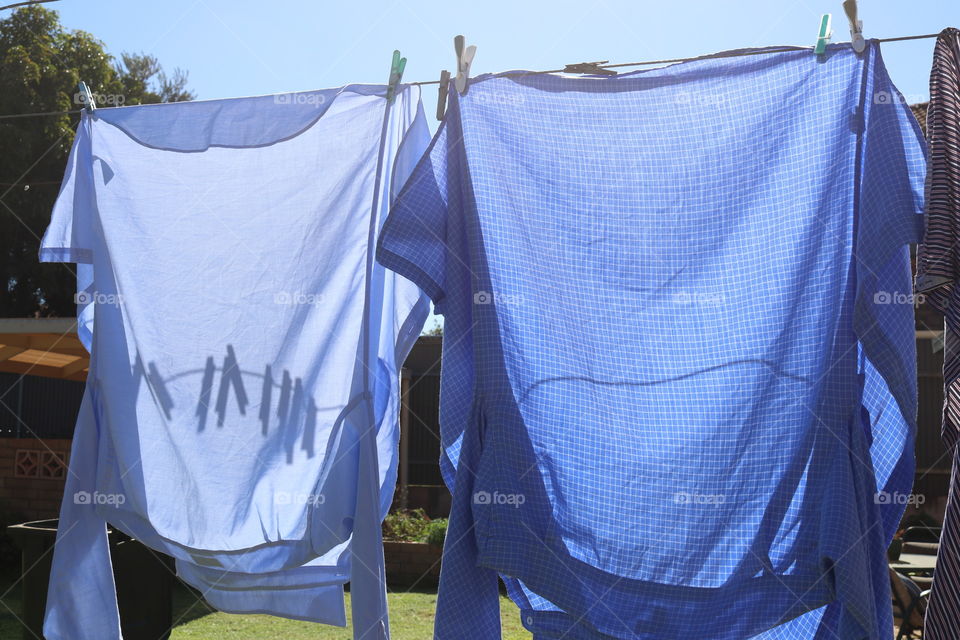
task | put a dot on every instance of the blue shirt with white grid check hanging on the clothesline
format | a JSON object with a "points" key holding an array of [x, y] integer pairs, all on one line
{"points": [[679, 385]]}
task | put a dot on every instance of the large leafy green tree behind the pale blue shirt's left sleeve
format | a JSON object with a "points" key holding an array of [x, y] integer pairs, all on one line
{"points": [[40, 66]]}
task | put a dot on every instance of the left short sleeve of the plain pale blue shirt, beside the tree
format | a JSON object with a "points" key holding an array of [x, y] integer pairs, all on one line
{"points": [[69, 236]]}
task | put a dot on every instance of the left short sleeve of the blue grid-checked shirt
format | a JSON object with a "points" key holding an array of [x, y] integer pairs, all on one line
{"points": [[414, 240]]}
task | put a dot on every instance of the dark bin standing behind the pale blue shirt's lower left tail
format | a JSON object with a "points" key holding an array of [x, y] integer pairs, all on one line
{"points": [[144, 580]]}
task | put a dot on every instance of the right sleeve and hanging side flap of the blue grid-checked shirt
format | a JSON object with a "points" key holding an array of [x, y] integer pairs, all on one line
{"points": [[889, 217]]}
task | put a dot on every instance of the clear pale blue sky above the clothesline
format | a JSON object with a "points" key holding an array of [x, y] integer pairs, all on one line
{"points": [[237, 48]]}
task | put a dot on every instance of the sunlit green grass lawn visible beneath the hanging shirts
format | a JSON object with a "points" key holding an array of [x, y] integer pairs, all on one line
{"points": [[411, 618]]}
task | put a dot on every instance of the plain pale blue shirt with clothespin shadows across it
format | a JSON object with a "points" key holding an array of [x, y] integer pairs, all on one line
{"points": [[241, 408]]}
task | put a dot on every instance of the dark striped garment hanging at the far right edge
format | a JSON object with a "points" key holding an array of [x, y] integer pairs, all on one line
{"points": [[938, 261]]}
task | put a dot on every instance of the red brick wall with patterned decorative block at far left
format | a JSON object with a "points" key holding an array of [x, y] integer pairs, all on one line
{"points": [[32, 475]]}
